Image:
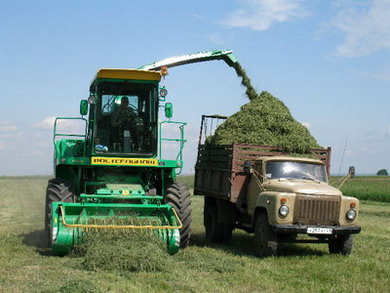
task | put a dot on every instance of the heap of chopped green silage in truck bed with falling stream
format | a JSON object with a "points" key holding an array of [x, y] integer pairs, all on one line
{"points": [[265, 120]]}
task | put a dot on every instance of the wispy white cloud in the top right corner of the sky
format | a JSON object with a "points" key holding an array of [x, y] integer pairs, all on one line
{"points": [[366, 26]]}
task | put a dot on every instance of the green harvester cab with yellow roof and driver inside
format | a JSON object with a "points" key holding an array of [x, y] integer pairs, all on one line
{"points": [[124, 108]]}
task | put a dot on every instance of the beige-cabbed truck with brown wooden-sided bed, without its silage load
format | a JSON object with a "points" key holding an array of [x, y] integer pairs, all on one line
{"points": [[276, 196]]}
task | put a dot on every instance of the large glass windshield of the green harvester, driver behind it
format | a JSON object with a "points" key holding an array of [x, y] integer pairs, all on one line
{"points": [[126, 118]]}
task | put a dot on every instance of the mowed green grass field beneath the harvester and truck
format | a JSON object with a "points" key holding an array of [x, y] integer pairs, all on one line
{"points": [[26, 265]]}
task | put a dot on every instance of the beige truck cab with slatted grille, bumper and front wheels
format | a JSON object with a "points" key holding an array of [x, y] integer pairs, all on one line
{"points": [[293, 196]]}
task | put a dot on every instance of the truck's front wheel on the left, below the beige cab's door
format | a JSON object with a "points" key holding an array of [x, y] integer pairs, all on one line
{"points": [[266, 243]]}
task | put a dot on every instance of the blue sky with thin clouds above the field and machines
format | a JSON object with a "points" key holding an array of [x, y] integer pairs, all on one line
{"points": [[327, 60]]}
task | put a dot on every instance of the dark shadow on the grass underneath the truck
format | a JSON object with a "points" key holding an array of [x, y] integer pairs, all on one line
{"points": [[242, 244]]}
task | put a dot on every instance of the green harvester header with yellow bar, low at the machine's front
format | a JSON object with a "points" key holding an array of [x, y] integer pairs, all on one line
{"points": [[72, 221]]}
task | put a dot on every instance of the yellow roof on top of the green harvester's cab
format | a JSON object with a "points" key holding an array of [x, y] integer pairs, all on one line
{"points": [[130, 74]]}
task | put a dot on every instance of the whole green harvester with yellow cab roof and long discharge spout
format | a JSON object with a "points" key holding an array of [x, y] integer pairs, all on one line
{"points": [[113, 175]]}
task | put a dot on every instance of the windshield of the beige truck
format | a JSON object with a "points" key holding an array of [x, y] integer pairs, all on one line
{"points": [[295, 170]]}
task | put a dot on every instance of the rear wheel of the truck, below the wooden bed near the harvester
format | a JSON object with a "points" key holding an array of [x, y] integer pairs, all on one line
{"points": [[215, 231]]}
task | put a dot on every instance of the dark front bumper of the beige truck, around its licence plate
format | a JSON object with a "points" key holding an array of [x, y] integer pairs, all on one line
{"points": [[302, 229]]}
